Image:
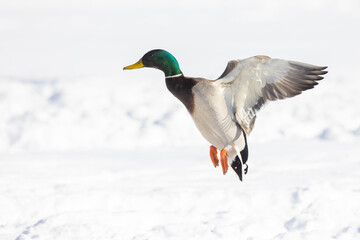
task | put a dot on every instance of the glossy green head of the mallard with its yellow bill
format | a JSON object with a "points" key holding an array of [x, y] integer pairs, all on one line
{"points": [[159, 59]]}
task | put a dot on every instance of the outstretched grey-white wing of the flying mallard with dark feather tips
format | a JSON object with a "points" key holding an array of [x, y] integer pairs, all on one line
{"points": [[249, 83]]}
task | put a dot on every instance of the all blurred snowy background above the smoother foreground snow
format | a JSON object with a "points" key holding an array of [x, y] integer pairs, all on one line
{"points": [[63, 88]]}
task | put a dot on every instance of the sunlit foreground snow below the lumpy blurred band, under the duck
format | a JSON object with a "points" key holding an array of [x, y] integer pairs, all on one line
{"points": [[305, 192]]}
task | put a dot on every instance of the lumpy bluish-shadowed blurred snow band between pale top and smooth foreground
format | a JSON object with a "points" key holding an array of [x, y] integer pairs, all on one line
{"points": [[110, 112]]}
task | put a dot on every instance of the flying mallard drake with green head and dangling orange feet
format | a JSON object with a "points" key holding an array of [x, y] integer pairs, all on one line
{"points": [[224, 110]]}
